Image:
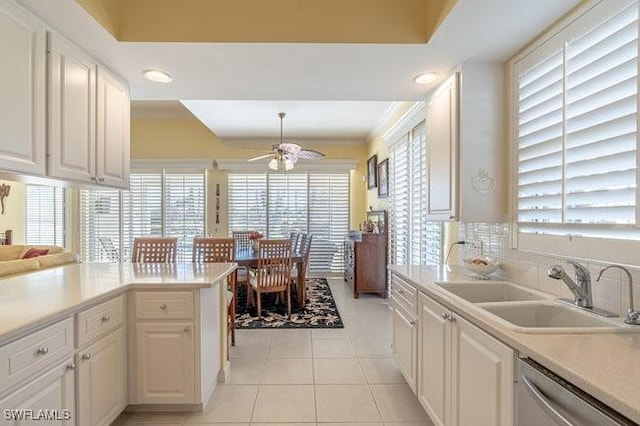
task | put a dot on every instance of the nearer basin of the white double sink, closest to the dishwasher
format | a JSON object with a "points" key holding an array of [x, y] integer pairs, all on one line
{"points": [[552, 318]]}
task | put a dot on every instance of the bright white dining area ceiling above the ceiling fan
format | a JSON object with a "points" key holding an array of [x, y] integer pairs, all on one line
{"points": [[325, 119]]}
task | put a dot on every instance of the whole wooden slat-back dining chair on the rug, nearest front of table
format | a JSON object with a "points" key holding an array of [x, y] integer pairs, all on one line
{"points": [[273, 274]]}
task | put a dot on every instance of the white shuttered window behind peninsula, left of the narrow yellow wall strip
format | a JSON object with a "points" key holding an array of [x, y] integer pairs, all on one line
{"points": [[163, 203]]}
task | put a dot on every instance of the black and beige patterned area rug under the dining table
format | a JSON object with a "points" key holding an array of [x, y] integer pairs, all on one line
{"points": [[320, 310]]}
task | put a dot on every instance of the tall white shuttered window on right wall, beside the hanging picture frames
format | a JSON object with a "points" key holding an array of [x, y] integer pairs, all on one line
{"points": [[413, 240]]}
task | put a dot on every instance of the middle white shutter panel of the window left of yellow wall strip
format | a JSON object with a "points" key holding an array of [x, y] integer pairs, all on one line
{"points": [[141, 209]]}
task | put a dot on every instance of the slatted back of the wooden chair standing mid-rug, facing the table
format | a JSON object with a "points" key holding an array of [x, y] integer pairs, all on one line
{"points": [[274, 265]]}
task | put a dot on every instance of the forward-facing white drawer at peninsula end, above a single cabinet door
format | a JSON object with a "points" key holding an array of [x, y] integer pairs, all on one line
{"points": [[164, 305]]}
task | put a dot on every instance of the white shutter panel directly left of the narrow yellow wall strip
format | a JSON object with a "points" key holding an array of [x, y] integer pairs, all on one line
{"points": [[184, 210]]}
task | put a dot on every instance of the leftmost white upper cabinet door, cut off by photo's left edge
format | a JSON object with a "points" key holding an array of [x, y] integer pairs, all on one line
{"points": [[23, 90]]}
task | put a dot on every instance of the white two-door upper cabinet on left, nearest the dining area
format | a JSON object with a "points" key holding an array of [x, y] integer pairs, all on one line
{"points": [[88, 119]]}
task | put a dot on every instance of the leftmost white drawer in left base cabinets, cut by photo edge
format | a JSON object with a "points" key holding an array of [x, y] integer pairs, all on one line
{"points": [[34, 352]]}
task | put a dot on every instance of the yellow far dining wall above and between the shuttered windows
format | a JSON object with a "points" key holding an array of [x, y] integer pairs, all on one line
{"points": [[190, 139]]}
